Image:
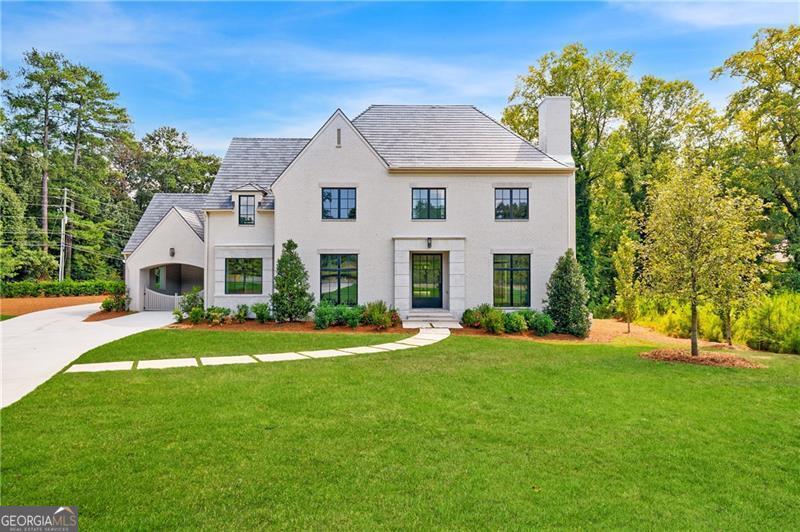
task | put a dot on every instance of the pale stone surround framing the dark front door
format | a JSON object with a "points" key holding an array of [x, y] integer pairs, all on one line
{"points": [[452, 249]]}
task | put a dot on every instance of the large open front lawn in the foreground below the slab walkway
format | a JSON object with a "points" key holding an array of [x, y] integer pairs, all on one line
{"points": [[472, 432]]}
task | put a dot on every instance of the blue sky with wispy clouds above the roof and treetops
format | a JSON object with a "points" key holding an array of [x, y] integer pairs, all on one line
{"points": [[219, 70]]}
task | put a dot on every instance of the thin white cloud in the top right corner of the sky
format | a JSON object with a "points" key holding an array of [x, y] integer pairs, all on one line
{"points": [[719, 14]]}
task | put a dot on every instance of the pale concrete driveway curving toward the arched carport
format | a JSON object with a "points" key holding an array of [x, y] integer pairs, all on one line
{"points": [[36, 346]]}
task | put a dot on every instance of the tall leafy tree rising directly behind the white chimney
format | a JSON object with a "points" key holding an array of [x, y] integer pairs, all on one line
{"points": [[601, 93]]}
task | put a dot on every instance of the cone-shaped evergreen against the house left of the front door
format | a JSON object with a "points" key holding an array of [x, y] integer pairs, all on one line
{"points": [[291, 300]]}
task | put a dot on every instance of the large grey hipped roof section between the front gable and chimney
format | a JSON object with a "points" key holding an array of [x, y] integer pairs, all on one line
{"points": [[447, 137]]}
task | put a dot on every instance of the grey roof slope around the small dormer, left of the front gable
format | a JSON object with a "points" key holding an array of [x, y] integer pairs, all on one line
{"points": [[256, 161]]}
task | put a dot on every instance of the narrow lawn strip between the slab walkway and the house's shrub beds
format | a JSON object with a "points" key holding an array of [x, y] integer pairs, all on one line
{"points": [[176, 343]]}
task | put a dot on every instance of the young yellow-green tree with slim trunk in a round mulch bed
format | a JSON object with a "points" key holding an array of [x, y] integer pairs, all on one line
{"points": [[699, 242]]}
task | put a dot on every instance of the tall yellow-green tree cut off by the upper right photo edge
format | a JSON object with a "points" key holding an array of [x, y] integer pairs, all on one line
{"points": [[766, 111]]}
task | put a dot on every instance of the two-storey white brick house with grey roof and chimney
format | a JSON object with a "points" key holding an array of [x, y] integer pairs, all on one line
{"points": [[424, 207]]}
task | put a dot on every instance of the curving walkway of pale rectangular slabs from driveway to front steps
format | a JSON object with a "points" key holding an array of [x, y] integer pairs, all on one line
{"points": [[426, 336]]}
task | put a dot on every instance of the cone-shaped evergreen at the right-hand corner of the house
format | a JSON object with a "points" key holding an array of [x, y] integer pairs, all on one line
{"points": [[567, 297]]}
